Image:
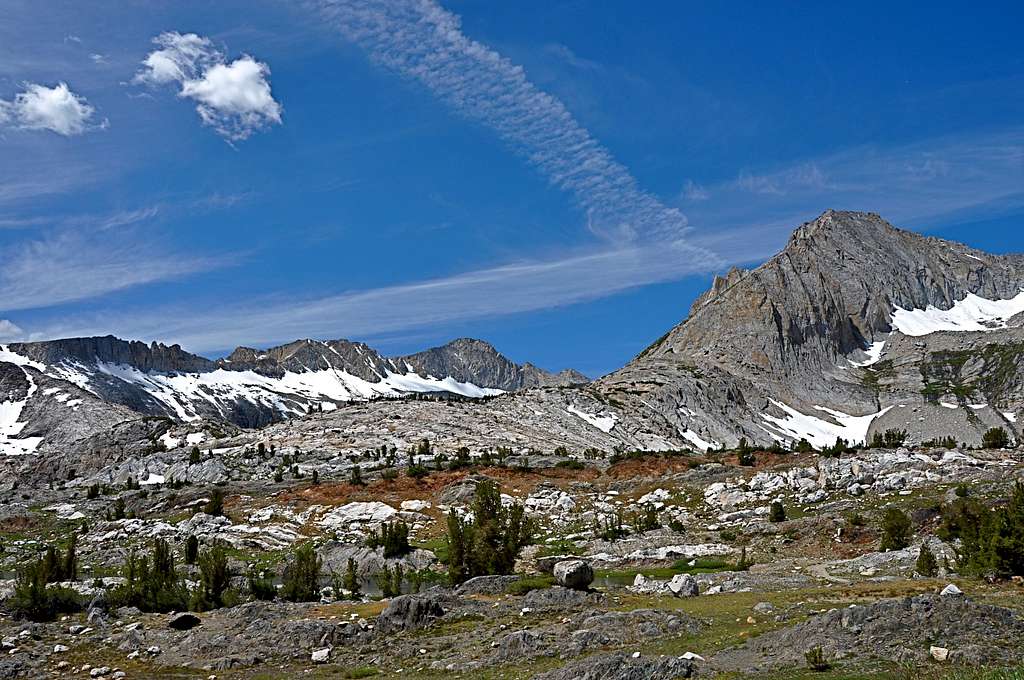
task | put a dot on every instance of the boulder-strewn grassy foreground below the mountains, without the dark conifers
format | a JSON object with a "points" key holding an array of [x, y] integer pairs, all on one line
{"points": [[699, 580]]}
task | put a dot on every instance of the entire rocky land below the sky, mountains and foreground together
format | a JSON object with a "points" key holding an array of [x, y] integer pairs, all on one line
{"points": [[816, 475]]}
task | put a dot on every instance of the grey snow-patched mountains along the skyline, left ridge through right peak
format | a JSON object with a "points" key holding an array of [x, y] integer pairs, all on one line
{"points": [[855, 328]]}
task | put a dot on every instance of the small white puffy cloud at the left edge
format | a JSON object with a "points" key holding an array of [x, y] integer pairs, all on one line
{"points": [[56, 109]]}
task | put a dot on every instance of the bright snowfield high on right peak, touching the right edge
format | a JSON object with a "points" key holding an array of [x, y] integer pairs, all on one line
{"points": [[971, 314]]}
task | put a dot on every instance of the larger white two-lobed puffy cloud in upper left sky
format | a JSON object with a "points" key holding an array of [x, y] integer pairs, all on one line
{"points": [[234, 98]]}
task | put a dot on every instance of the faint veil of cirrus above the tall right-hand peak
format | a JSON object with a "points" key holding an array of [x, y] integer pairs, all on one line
{"points": [[913, 185]]}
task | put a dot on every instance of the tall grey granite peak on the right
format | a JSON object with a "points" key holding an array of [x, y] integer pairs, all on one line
{"points": [[794, 331]]}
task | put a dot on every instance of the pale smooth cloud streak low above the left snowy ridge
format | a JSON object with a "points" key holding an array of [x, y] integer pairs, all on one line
{"points": [[497, 291]]}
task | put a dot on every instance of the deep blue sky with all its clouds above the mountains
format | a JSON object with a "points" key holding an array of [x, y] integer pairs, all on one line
{"points": [[560, 179]]}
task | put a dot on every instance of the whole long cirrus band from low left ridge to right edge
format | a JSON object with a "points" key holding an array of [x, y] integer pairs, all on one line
{"points": [[982, 174]]}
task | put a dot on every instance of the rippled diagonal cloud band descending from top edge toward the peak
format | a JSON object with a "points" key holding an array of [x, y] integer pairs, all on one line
{"points": [[422, 41]]}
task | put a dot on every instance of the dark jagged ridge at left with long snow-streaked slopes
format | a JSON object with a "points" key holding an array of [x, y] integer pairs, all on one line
{"points": [[253, 388]]}
